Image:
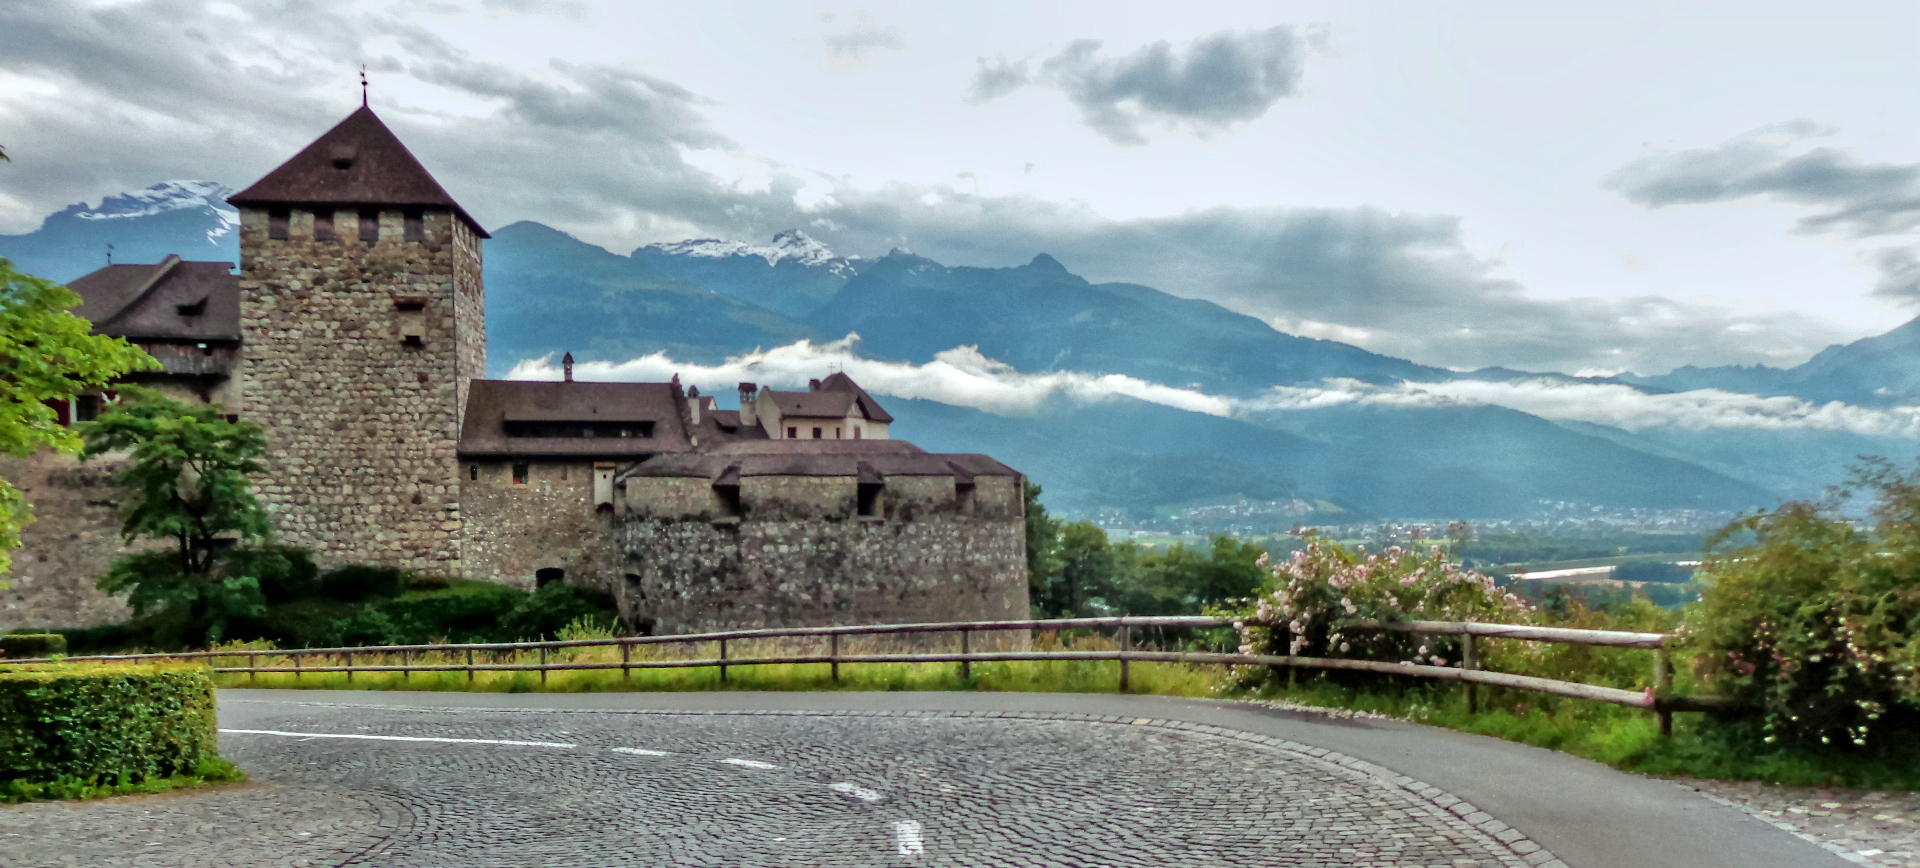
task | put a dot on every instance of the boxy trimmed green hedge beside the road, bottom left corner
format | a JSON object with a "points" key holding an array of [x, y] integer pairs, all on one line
{"points": [[105, 723]]}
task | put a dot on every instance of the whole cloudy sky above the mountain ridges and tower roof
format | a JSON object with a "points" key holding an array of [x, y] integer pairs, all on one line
{"points": [[1545, 187]]}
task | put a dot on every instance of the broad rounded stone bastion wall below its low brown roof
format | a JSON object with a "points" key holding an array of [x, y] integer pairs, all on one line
{"points": [[798, 554]]}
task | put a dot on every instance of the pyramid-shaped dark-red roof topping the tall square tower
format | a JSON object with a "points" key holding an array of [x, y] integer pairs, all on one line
{"points": [[360, 162]]}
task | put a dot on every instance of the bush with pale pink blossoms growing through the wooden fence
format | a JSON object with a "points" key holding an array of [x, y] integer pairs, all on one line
{"points": [[1322, 587]]}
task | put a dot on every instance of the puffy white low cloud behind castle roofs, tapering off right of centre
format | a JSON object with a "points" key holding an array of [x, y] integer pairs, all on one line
{"points": [[959, 377]]}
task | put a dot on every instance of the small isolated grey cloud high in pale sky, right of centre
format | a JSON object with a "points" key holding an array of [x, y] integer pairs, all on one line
{"points": [[1205, 85]]}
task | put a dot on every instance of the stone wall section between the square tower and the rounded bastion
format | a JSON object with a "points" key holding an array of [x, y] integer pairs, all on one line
{"points": [[514, 531]]}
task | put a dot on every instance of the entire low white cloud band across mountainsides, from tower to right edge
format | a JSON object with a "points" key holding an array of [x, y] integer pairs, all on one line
{"points": [[967, 379]]}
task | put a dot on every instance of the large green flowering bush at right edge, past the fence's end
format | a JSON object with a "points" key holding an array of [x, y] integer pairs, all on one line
{"points": [[1815, 619]]}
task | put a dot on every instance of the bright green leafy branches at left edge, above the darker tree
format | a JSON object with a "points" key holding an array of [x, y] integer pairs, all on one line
{"points": [[47, 354]]}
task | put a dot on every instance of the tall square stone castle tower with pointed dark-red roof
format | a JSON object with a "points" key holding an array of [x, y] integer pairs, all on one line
{"points": [[362, 322]]}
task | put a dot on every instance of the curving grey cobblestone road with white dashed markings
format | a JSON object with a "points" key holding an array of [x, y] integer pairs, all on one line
{"points": [[583, 788]]}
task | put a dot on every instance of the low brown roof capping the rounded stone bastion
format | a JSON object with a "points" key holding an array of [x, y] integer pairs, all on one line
{"points": [[819, 458]]}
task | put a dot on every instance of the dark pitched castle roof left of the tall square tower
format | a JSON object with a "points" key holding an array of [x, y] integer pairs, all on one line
{"points": [[170, 301]]}
